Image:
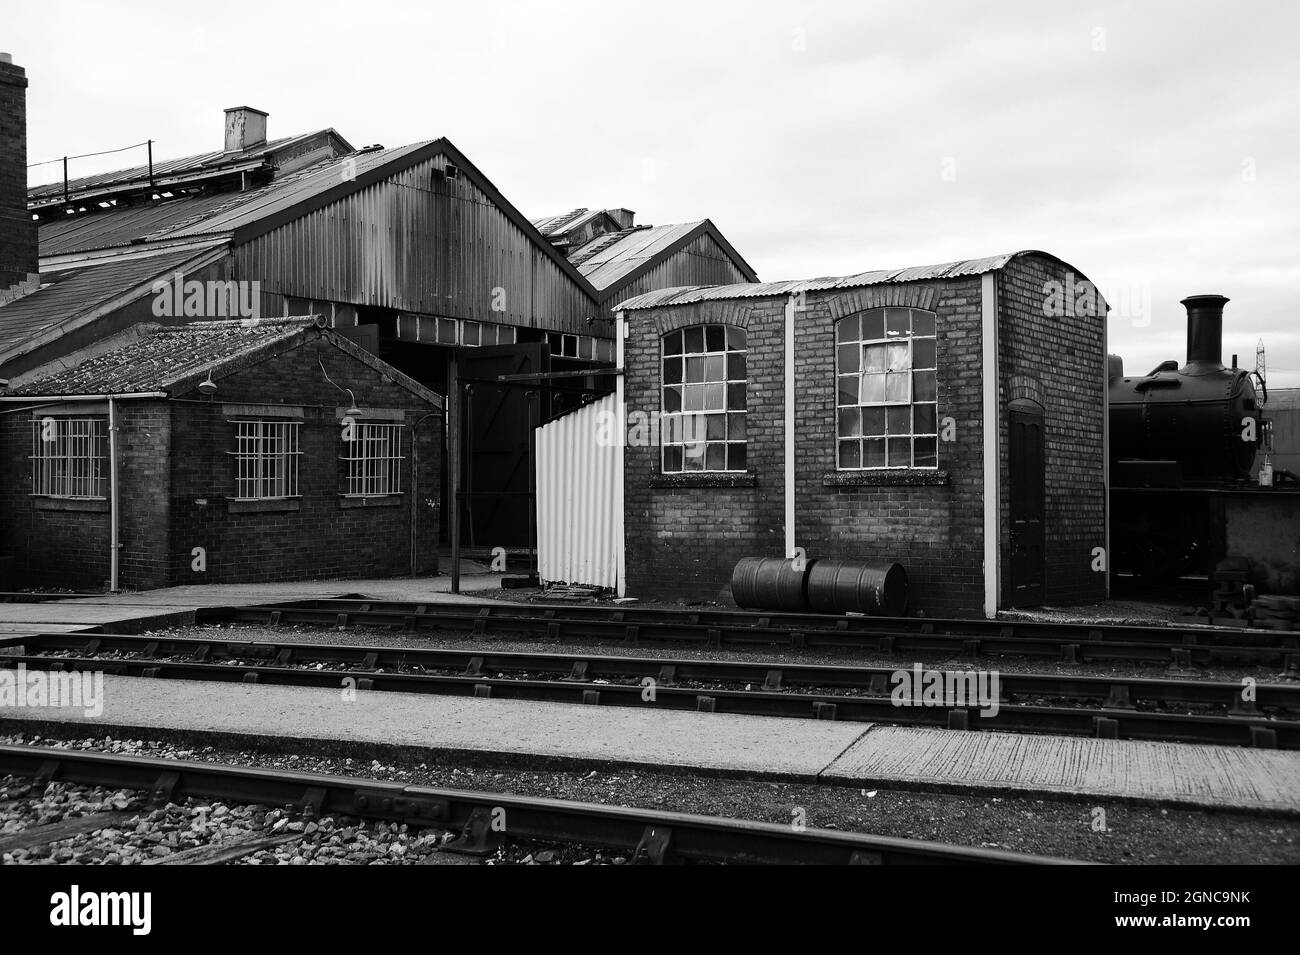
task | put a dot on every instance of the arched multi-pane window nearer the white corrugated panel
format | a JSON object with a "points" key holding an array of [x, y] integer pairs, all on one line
{"points": [[703, 426]]}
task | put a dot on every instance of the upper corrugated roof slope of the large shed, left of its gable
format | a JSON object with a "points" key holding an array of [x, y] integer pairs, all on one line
{"points": [[213, 215]]}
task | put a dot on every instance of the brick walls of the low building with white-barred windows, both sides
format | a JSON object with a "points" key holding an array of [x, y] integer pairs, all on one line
{"points": [[175, 454]]}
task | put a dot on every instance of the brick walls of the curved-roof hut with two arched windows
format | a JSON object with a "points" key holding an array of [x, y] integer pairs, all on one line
{"points": [[686, 533]]}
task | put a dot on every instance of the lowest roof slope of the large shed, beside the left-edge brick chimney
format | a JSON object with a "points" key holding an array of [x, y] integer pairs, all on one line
{"points": [[79, 292]]}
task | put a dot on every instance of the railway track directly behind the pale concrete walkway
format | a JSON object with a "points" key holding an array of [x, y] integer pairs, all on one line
{"points": [[1110, 707]]}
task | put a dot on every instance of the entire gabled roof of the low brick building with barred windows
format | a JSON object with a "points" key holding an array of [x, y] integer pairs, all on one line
{"points": [[175, 359]]}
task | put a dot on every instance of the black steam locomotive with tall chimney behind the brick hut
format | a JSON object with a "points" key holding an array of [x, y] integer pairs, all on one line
{"points": [[1182, 440]]}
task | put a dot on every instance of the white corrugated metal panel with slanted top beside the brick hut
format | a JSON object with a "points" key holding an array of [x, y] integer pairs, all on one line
{"points": [[577, 462]]}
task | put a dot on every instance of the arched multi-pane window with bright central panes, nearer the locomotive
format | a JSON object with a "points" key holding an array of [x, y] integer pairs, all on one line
{"points": [[887, 390]]}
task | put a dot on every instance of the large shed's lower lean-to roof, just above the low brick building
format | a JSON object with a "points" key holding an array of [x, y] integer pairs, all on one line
{"points": [[71, 298]]}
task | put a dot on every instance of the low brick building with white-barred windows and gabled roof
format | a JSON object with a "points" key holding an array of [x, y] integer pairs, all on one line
{"points": [[220, 453]]}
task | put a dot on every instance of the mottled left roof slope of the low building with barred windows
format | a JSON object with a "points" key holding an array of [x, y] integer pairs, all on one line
{"points": [[166, 357]]}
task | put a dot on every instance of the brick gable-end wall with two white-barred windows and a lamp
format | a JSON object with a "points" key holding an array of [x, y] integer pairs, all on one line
{"points": [[323, 537]]}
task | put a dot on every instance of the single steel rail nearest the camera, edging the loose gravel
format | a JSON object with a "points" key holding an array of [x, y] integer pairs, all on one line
{"points": [[651, 836]]}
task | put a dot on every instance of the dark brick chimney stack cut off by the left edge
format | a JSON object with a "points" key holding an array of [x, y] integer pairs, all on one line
{"points": [[19, 250]]}
